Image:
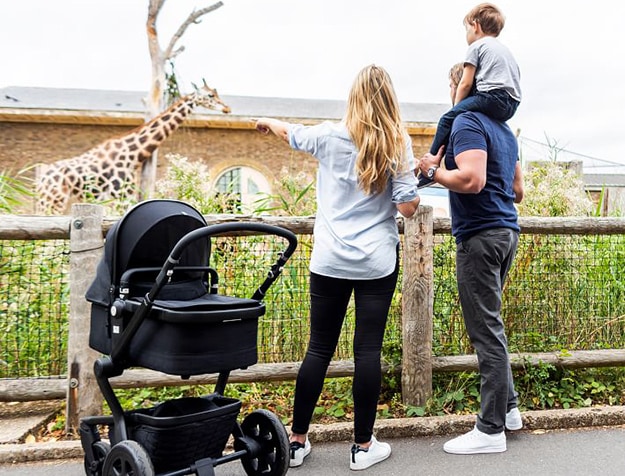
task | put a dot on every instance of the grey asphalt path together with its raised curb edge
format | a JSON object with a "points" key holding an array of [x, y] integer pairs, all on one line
{"points": [[555, 443]]}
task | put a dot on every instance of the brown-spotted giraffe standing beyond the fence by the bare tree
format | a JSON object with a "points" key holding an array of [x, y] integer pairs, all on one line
{"points": [[109, 170]]}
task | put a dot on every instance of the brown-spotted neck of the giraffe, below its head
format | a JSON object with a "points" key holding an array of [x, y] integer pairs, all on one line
{"points": [[149, 136]]}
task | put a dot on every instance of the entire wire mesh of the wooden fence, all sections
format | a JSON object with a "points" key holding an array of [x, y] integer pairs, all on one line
{"points": [[563, 293]]}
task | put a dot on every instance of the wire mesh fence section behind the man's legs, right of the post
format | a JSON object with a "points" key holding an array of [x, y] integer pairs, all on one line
{"points": [[564, 292]]}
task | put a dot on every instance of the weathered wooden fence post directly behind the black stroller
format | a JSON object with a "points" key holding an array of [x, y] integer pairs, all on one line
{"points": [[86, 243]]}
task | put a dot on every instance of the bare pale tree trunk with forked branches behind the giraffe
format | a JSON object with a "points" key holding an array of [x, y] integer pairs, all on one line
{"points": [[159, 57]]}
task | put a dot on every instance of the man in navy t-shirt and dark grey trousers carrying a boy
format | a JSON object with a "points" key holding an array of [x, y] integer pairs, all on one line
{"points": [[484, 178]]}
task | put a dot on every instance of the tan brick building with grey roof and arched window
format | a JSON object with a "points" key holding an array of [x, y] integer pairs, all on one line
{"points": [[43, 125]]}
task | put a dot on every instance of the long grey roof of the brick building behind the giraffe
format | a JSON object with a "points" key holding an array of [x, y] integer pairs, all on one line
{"points": [[28, 104]]}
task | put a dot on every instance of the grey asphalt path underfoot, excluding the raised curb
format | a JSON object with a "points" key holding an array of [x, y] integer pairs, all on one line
{"points": [[598, 451]]}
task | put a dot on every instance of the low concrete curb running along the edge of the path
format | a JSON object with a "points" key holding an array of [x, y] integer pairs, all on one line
{"points": [[385, 429]]}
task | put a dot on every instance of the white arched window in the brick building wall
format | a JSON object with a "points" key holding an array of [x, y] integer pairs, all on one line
{"points": [[245, 182]]}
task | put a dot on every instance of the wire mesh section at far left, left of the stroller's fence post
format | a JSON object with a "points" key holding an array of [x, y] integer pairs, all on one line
{"points": [[34, 308]]}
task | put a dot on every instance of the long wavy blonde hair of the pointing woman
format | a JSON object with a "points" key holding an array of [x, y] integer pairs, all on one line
{"points": [[374, 124]]}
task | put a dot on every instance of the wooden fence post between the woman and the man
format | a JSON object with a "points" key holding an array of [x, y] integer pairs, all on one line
{"points": [[417, 307]]}
